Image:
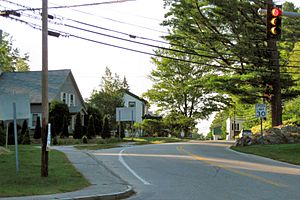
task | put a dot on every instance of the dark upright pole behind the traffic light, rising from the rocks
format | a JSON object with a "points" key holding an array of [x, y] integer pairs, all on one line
{"points": [[274, 62]]}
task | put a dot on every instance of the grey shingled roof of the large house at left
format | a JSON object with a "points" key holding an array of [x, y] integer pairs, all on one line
{"points": [[30, 83]]}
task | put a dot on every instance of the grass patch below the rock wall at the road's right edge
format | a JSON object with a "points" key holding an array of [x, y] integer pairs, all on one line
{"points": [[283, 152]]}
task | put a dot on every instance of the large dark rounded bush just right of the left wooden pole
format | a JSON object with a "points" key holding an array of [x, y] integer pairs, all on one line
{"points": [[58, 113]]}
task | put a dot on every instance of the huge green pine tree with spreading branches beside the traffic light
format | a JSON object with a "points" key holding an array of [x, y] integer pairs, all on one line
{"points": [[232, 38]]}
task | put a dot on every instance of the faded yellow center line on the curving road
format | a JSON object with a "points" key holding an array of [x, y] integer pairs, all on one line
{"points": [[208, 161]]}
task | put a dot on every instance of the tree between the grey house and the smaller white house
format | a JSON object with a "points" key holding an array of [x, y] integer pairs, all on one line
{"points": [[110, 95]]}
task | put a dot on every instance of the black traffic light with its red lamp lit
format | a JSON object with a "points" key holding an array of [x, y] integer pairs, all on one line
{"points": [[274, 22]]}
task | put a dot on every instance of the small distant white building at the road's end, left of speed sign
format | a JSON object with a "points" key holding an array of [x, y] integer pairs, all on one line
{"points": [[233, 127]]}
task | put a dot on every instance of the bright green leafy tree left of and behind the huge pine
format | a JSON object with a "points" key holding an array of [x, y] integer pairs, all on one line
{"points": [[178, 87]]}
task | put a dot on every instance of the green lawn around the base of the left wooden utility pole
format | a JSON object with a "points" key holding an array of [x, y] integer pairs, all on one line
{"points": [[63, 177]]}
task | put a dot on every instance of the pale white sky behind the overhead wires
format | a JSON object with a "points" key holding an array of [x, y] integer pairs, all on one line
{"points": [[88, 60]]}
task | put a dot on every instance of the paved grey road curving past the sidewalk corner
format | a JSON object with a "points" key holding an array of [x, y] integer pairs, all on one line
{"points": [[201, 170]]}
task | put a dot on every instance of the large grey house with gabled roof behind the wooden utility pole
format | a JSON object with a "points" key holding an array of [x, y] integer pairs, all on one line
{"points": [[61, 87]]}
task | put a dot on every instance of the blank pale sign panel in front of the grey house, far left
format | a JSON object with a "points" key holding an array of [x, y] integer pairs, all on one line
{"points": [[22, 105]]}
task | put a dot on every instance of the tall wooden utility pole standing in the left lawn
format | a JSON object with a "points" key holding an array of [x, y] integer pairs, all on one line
{"points": [[45, 104]]}
